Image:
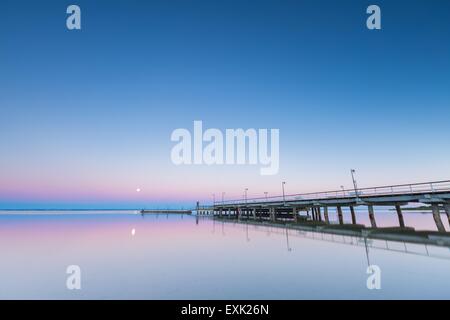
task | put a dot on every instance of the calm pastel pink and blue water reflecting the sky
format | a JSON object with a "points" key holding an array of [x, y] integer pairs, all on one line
{"points": [[123, 255]]}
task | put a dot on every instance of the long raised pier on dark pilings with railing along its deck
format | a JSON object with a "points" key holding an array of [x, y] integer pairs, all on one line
{"points": [[313, 208]]}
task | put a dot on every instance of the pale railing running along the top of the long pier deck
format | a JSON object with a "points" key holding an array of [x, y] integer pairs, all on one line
{"points": [[400, 189]]}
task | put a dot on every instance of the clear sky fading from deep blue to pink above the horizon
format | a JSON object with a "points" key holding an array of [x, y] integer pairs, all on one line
{"points": [[86, 116]]}
